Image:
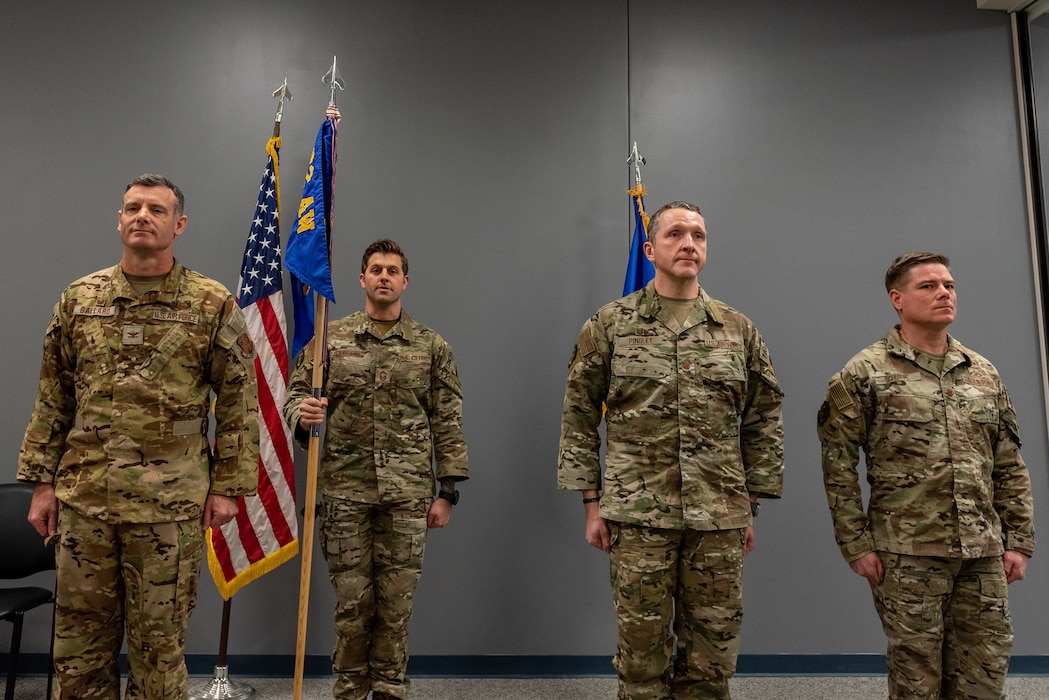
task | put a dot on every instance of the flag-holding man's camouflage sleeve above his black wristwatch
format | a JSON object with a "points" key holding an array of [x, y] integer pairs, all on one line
{"points": [[446, 418]]}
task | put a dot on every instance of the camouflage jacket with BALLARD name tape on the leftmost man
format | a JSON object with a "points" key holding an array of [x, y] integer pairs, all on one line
{"points": [[121, 419]]}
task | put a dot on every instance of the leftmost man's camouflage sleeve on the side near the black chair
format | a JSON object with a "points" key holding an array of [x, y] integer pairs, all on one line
{"points": [[55, 408]]}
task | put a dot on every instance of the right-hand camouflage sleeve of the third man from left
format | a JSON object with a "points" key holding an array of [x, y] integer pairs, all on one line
{"points": [[761, 427]]}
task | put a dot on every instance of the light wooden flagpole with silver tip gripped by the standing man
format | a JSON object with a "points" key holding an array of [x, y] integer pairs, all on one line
{"points": [[334, 80]]}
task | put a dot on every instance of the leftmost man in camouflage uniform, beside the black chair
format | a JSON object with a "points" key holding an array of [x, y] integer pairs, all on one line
{"points": [[118, 449]]}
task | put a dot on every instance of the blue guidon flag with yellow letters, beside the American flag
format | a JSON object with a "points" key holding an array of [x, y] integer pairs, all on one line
{"points": [[309, 251]]}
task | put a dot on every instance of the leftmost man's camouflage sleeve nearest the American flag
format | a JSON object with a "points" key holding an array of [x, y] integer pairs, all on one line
{"points": [[232, 377]]}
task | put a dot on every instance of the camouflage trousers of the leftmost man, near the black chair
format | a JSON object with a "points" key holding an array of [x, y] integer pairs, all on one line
{"points": [[140, 577]]}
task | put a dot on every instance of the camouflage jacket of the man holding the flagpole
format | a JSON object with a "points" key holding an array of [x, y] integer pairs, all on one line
{"points": [[395, 410]]}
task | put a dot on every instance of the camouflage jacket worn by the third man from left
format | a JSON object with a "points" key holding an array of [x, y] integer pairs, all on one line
{"points": [[693, 417]]}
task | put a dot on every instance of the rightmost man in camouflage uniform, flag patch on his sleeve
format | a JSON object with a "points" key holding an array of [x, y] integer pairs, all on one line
{"points": [[948, 487]]}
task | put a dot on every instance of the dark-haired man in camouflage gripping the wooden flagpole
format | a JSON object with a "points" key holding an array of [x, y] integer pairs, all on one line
{"points": [[395, 406]]}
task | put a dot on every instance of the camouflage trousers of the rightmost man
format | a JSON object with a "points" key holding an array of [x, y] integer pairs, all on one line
{"points": [[949, 627]]}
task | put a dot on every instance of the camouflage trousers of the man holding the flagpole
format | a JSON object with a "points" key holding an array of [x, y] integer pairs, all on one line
{"points": [[375, 558]]}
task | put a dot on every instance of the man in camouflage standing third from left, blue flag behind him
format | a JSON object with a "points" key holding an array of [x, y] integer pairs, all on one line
{"points": [[694, 439]]}
